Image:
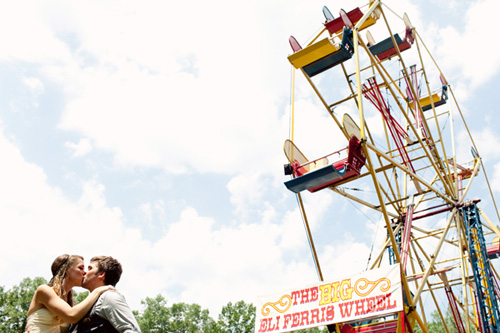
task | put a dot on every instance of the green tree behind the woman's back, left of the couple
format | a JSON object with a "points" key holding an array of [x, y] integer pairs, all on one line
{"points": [[14, 304]]}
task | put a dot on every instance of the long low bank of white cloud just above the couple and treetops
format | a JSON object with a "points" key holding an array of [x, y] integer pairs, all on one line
{"points": [[190, 263]]}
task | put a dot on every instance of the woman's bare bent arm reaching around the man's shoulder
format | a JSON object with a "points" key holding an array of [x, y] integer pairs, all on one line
{"points": [[48, 297]]}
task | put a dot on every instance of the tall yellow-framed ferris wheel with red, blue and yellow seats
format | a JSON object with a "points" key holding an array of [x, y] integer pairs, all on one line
{"points": [[400, 141]]}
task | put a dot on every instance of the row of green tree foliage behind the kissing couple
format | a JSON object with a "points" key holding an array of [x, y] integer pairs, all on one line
{"points": [[156, 316]]}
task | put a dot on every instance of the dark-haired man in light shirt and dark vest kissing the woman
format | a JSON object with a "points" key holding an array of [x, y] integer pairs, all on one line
{"points": [[110, 313]]}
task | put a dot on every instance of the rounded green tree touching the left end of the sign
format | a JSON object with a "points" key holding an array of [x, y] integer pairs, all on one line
{"points": [[237, 318]]}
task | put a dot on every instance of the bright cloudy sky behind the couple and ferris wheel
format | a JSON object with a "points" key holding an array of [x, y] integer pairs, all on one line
{"points": [[152, 131]]}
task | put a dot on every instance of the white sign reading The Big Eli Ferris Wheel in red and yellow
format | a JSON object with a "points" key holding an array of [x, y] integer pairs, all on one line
{"points": [[369, 294]]}
